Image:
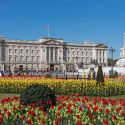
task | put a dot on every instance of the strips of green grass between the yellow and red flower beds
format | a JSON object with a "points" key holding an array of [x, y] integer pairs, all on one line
{"points": [[4, 95]]}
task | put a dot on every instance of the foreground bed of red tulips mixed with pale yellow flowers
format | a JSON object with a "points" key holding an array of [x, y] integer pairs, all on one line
{"points": [[70, 110]]}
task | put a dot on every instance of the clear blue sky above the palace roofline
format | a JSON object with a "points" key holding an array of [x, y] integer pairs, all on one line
{"points": [[72, 20]]}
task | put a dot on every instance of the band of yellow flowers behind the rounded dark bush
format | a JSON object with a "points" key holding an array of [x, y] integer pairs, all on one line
{"points": [[65, 87]]}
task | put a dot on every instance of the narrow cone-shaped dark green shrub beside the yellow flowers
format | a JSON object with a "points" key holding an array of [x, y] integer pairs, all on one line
{"points": [[100, 77]]}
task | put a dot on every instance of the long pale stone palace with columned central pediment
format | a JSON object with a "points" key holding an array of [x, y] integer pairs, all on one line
{"points": [[50, 54]]}
